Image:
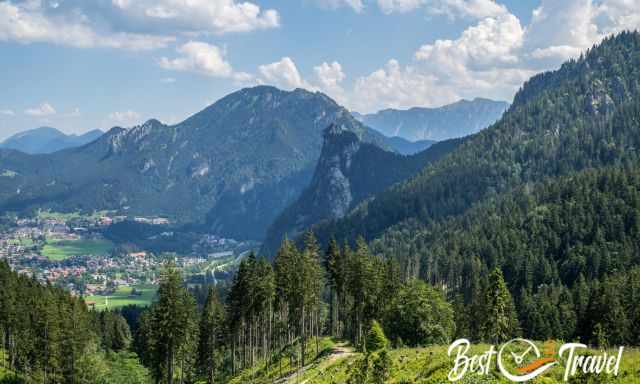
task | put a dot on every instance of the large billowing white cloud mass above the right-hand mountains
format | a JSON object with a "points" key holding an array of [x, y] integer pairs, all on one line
{"points": [[493, 56]]}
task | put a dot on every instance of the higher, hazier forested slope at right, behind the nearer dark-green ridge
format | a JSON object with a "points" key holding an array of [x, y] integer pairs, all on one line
{"points": [[582, 116]]}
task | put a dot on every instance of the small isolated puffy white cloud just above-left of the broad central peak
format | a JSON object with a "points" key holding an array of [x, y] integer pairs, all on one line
{"points": [[203, 58]]}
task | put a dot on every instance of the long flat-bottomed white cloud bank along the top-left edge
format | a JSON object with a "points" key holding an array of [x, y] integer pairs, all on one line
{"points": [[126, 24]]}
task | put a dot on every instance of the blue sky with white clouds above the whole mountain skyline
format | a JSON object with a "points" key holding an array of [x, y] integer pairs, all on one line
{"points": [[79, 65]]}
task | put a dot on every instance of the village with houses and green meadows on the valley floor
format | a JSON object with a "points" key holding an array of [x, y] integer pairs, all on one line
{"points": [[71, 251]]}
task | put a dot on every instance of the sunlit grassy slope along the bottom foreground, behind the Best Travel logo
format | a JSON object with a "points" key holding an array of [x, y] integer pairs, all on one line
{"points": [[419, 365]]}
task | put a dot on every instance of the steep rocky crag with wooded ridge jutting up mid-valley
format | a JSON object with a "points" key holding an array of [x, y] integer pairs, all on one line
{"points": [[348, 172]]}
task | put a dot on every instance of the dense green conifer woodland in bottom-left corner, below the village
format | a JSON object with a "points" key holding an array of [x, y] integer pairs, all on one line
{"points": [[49, 336]]}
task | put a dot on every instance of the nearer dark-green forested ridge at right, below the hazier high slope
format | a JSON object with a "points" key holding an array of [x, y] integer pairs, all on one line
{"points": [[565, 245]]}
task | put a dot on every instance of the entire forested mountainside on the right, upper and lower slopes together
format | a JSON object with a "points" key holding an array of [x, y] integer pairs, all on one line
{"points": [[549, 196]]}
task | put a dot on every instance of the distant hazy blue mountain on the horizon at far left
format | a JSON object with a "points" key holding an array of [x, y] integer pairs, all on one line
{"points": [[47, 140]]}
